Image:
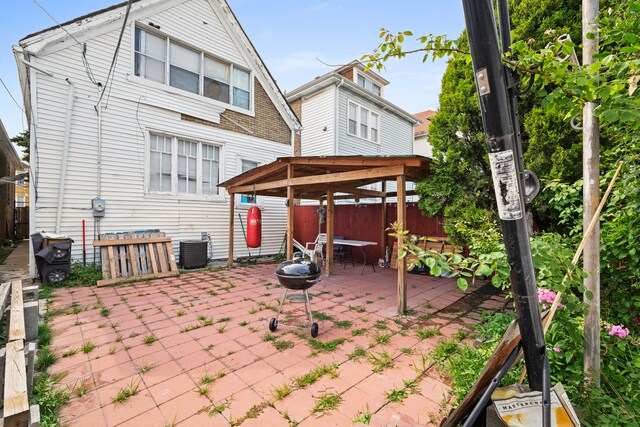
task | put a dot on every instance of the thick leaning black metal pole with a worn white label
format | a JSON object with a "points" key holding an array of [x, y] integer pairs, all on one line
{"points": [[502, 143]]}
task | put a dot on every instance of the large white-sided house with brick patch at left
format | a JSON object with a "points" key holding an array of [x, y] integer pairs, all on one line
{"points": [[150, 127]]}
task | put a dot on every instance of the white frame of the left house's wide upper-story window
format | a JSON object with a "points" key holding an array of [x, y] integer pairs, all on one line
{"points": [[203, 54]]}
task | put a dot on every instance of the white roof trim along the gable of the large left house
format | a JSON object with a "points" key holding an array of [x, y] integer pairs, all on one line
{"points": [[55, 34]]}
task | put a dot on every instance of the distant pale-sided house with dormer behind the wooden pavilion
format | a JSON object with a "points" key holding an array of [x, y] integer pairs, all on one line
{"points": [[344, 113]]}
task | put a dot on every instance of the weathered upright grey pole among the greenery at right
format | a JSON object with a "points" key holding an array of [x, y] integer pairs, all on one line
{"points": [[591, 197]]}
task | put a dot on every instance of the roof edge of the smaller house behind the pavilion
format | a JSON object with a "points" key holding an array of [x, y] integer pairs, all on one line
{"points": [[335, 78]]}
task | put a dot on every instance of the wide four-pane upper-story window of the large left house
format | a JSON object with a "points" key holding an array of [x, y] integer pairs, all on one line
{"points": [[163, 60]]}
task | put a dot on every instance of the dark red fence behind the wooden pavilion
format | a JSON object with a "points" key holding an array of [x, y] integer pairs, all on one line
{"points": [[363, 222]]}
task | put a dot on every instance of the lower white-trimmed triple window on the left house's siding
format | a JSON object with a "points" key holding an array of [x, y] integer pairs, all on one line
{"points": [[181, 166]]}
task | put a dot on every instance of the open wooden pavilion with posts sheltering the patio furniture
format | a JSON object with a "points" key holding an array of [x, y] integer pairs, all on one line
{"points": [[327, 179]]}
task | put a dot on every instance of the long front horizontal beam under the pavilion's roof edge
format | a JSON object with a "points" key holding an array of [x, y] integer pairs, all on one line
{"points": [[364, 174]]}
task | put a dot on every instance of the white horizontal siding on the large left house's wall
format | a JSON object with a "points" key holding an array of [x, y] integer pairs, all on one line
{"points": [[136, 108]]}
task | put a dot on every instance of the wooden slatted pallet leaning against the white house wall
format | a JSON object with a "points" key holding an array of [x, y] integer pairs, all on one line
{"points": [[134, 256]]}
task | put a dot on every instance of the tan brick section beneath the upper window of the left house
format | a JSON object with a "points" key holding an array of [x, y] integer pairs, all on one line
{"points": [[267, 123]]}
